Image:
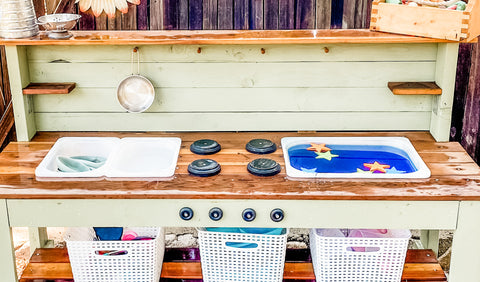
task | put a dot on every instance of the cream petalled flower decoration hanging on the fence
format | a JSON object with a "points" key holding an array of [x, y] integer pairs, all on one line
{"points": [[109, 6]]}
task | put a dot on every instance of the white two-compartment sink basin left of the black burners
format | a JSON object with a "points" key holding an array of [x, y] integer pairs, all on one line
{"points": [[148, 157]]}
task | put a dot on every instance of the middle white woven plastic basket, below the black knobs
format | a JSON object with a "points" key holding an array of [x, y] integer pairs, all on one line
{"points": [[222, 263]]}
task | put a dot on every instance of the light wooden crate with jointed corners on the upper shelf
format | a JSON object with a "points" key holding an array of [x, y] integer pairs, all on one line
{"points": [[427, 21]]}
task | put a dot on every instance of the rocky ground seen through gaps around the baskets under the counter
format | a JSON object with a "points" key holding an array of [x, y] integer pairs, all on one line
{"points": [[187, 237]]}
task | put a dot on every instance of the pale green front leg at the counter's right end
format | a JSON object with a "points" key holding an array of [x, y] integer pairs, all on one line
{"points": [[465, 264]]}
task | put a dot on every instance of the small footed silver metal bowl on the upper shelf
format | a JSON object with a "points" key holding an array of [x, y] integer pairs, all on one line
{"points": [[59, 24]]}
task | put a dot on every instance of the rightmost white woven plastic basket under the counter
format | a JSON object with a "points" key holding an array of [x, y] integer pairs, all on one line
{"points": [[334, 260]]}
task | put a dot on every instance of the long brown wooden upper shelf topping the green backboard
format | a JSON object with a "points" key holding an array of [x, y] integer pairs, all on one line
{"points": [[222, 37]]}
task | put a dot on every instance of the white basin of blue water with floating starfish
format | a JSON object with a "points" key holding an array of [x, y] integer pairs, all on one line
{"points": [[352, 157]]}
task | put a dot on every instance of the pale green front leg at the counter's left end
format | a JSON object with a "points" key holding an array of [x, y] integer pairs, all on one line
{"points": [[8, 271]]}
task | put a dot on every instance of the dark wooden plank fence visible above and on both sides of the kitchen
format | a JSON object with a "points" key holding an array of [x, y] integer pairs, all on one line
{"points": [[266, 14]]}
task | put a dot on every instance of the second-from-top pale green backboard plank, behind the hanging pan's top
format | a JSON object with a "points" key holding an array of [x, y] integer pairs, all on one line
{"points": [[312, 74]]}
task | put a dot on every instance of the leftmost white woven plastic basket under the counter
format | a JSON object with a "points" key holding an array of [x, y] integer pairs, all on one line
{"points": [[142, 262]]}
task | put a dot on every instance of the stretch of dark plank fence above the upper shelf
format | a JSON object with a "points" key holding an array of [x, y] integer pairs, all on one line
{"points": [[224, 14]]}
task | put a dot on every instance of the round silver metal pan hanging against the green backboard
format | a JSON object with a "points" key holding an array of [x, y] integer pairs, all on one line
{"points": [[135, 93]]}
